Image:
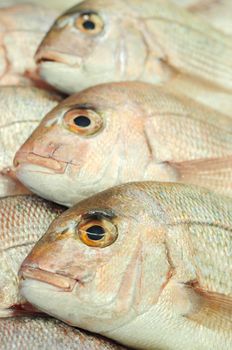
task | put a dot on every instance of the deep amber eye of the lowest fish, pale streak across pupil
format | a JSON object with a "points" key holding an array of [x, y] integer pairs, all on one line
{"points": [[97, 232]]}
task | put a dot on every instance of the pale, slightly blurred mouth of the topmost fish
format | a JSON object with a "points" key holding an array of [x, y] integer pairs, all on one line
{"points": [[50, 56]]}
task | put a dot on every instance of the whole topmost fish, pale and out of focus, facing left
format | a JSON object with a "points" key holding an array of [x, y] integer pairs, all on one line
{"points": [[157, 42]]}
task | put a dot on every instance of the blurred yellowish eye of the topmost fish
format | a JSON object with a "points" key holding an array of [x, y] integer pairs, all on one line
{"points": [[89, 23]]}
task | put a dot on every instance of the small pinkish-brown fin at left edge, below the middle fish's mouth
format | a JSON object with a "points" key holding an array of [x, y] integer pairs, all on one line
{"points": [[9, 185]]}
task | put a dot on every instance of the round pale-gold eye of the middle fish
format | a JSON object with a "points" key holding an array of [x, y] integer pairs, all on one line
{"points": [[84, 122]]}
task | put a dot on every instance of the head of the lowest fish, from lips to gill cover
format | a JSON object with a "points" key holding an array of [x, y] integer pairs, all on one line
{"points": [[102, 263]]}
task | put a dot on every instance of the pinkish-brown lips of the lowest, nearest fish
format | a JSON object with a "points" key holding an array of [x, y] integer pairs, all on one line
{"points": [[62, 282]]}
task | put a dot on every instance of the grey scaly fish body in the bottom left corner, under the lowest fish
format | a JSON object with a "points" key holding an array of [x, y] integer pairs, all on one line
{"points": [[46, 333]]}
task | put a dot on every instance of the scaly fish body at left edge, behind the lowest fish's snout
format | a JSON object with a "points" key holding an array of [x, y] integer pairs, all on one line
{"points": [[23, 220]]}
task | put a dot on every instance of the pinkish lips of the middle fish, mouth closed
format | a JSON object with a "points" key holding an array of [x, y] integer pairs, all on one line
{"points": [[31, 158]]}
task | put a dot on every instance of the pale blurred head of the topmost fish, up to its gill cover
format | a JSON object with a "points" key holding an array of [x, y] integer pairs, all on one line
{"points": [[95, 42]]}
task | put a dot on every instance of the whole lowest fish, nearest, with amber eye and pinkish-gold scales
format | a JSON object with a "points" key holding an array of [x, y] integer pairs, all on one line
{"points": [[147, 264]]}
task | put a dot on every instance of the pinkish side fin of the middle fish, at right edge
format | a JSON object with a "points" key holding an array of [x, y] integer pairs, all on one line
{"points": [[215, 173]]}
